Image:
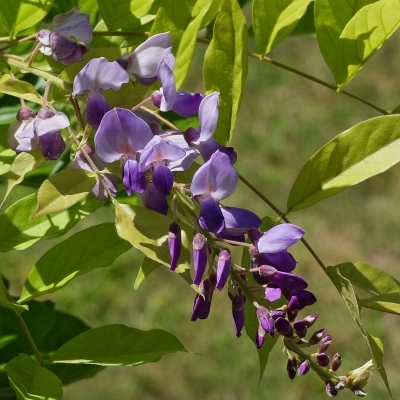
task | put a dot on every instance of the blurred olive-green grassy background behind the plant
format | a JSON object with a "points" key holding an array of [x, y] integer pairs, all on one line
{"points": [[283, 120]]}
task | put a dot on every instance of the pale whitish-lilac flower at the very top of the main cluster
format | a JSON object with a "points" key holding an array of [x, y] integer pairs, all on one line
{"points": [[143, 62]]}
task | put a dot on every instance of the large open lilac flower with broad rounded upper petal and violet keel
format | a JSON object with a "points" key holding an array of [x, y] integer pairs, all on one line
{"points": [[122, 136]]}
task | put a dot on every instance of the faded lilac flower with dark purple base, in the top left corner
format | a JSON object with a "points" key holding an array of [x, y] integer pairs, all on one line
{"points": [[58, 40]]}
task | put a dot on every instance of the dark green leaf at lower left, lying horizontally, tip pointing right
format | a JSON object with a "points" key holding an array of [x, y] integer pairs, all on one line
{"points": [[117, 345]]}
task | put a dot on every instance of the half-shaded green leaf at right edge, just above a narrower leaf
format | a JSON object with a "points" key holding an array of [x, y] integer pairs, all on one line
{"points": [[369, 278]]}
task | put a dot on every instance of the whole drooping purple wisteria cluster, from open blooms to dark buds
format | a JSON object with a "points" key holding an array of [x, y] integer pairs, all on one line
{"points": [[182, 176]]}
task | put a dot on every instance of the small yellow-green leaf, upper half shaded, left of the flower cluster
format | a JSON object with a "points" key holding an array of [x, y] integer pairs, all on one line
{"points": [[63, 190]]}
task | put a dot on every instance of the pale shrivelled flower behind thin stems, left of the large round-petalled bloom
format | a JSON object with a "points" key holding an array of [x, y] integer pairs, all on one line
{"points": [[98, 190]]}
